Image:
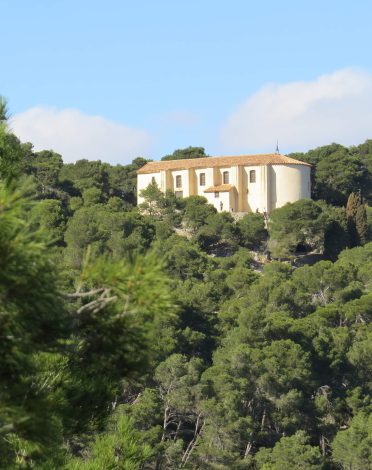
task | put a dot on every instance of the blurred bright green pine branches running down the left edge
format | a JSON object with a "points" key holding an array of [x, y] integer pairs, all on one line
{"points": [[32, 322]]}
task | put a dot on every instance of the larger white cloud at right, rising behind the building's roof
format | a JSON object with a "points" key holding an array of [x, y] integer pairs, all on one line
{"points": [[333, 108]]}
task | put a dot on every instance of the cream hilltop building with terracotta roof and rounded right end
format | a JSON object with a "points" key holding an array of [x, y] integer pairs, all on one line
{"points": [[247, 183]]}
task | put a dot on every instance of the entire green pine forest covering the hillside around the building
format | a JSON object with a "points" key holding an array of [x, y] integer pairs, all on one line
{"points": [[170, 336]]}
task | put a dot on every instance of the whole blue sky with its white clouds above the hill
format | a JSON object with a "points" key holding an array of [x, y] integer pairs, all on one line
{"points": [[119, 79]]}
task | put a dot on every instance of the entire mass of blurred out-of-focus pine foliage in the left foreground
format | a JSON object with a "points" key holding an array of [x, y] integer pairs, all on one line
{"points": [[49, 387]]}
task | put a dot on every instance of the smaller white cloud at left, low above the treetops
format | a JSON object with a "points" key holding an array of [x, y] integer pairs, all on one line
{"points": [[76, 135]]}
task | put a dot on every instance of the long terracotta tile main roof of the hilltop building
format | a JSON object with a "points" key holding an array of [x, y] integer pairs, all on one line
{"points": [[215, 162]]}
